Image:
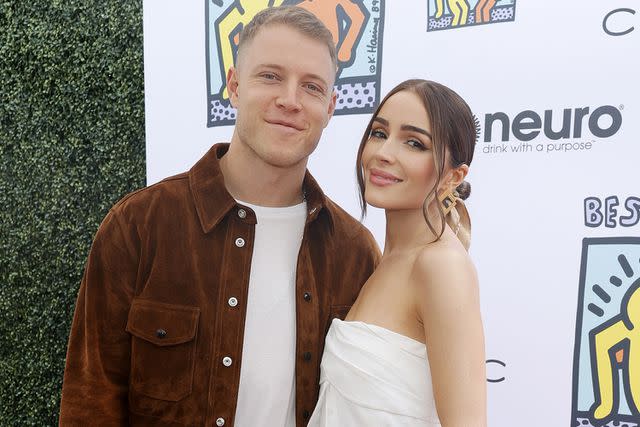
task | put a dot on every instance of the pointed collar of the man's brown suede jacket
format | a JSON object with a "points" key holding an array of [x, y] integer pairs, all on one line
{"points": [[213, 202]]}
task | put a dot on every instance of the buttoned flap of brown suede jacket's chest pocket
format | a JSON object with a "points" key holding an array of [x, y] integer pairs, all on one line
{"points": [[162, 324]]}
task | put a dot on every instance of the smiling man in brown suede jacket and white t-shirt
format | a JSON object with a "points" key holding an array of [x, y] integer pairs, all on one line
{"points": [[206, 297]]}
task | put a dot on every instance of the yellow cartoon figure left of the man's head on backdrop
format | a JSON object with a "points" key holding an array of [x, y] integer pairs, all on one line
{"points": [[239, 14]]}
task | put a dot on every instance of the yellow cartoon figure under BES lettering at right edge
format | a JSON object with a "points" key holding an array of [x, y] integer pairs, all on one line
{"points": [[609, 338]]}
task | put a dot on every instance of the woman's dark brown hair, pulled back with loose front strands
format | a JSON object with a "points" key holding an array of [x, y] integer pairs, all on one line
{"points": [[454, 130]]}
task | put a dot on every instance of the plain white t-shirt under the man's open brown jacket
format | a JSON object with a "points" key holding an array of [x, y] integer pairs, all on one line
{"points": [[266, 396]]}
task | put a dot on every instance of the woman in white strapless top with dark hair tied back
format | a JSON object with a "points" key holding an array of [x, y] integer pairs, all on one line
{"points": [[411, 349]]}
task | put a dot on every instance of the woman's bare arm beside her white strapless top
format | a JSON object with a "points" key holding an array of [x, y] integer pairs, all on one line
{"points": [[448, 306]]}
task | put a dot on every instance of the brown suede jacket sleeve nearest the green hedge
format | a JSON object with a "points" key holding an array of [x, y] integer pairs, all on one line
{"points": [[96, 377]]}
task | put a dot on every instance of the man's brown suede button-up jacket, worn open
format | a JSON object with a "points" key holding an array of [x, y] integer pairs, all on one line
{"points": [[162, 302]]}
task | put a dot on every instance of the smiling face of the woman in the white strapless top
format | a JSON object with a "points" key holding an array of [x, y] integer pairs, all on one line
{"points": [[397, 159]]}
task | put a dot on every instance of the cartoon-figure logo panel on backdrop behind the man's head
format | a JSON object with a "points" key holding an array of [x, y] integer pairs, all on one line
{"points": [[357, 29]]}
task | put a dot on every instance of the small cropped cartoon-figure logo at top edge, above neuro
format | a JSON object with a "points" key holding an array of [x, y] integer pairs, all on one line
{"points": [[447, 14]]}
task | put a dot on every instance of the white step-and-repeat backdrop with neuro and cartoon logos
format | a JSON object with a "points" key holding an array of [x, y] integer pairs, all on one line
{"points": [[555, 201]]}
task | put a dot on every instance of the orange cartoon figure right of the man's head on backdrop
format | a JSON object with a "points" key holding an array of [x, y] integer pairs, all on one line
{"points": [[327, 12]]}
